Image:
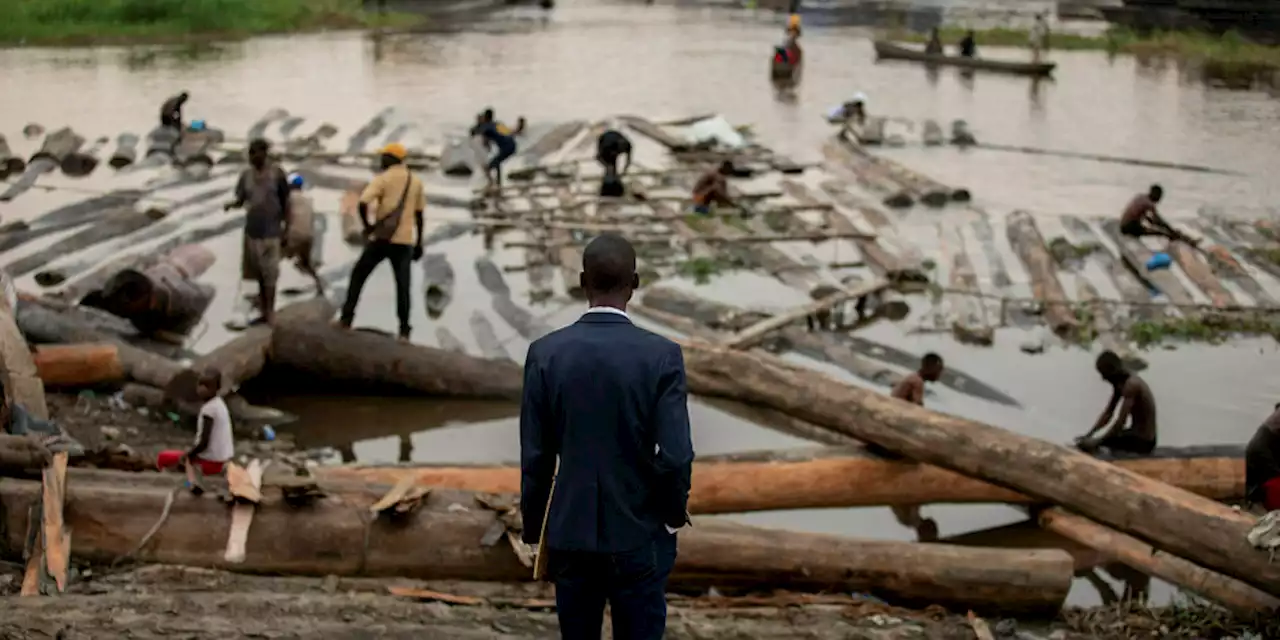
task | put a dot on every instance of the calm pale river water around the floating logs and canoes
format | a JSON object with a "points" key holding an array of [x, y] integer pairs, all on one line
{"points": [[588, 61]]}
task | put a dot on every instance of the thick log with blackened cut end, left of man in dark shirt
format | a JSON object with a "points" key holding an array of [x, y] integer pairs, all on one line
{"points": [[162, 298]]}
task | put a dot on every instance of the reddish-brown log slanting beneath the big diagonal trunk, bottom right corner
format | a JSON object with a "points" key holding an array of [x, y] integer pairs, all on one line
{"points": [[1237, 597]]}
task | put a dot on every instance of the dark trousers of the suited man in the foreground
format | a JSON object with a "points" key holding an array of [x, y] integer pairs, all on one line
{"points": [[633, 583]]}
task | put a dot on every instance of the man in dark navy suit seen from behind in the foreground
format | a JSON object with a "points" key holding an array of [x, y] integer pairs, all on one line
{"points": [[610, 400]]}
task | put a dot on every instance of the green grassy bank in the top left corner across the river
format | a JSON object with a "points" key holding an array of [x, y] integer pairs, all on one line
{"points": [[84, 22]]}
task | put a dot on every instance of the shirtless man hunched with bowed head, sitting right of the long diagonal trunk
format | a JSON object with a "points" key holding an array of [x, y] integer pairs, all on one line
{"points": [[1137, 409]]}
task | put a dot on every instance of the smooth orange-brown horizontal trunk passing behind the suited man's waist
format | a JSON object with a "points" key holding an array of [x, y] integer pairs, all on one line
{"points": [[833, 478]]}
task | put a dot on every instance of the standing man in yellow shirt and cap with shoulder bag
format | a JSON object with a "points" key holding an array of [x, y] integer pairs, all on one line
{"points": [[392, 235]]}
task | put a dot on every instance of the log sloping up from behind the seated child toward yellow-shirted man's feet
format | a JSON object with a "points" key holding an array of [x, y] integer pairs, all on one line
{"points": [[245, 356]]}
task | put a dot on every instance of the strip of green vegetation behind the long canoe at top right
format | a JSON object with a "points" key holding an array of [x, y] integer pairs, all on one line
{"points": [[1227, 49]]}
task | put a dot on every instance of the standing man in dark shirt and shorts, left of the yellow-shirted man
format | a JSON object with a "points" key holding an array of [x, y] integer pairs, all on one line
{"points": [[264, 191]]}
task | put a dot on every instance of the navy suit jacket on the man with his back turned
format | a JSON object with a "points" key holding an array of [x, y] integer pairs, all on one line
{"points": [[611, 400]]}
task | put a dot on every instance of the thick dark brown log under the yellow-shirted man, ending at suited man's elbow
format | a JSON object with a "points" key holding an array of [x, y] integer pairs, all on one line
{"points": [[364, 359]]}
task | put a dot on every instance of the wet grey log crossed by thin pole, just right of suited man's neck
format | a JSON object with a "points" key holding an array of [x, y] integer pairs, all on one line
{"points": [[822, 346]]}
